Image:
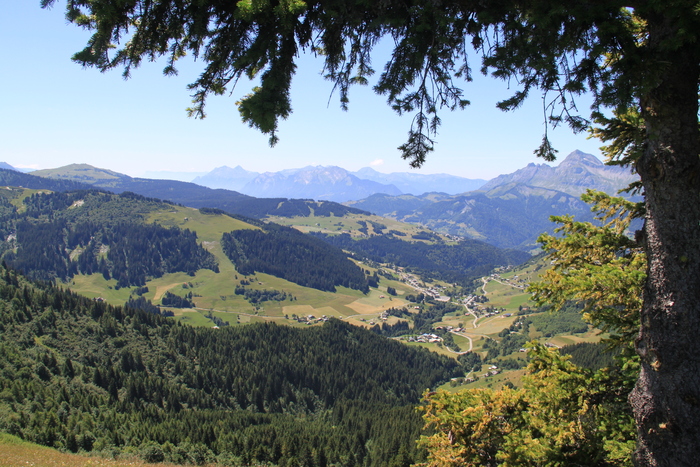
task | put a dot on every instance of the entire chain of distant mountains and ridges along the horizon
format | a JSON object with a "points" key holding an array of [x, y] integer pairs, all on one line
{"points": [[509, 211]]}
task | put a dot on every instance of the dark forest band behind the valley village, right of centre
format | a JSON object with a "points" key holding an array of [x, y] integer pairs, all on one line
{"points": [[453, 263]]}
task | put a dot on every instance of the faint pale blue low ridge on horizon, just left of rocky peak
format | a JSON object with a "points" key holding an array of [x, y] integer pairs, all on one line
{"points": [[416, 183]]}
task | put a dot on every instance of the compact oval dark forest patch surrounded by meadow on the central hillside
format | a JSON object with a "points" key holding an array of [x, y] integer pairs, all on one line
{"points": [[287, 253]]}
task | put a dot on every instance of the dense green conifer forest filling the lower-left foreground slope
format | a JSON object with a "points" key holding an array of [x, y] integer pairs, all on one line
{"points": [[79, 374]]}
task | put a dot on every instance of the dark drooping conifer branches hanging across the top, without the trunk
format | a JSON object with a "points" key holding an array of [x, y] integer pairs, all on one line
{"points": [[561, 50]]}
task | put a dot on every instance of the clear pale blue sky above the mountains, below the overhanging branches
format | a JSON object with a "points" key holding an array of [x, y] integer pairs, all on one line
{"points": [[55, 113]]}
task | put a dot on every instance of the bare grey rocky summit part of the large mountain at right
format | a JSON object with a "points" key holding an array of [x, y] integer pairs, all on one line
{"points": [[576, 173]]}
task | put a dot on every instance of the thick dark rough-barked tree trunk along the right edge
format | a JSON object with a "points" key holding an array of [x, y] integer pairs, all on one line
{"points": [[666, 399]]}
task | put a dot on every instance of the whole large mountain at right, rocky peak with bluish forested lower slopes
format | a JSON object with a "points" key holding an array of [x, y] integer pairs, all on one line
{"points": [[511, 210]]}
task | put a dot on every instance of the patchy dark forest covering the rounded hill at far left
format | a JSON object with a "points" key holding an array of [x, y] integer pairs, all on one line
{"points": [[59, 235]]}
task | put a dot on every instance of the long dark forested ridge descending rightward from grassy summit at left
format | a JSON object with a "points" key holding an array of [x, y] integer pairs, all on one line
{"points": [[196, 196]]}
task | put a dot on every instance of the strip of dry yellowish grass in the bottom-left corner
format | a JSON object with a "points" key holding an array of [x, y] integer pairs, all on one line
{"points": [[15, 452]]}
